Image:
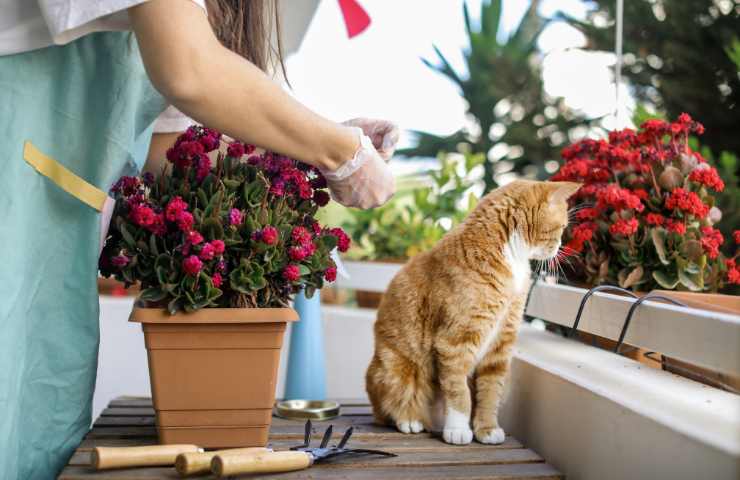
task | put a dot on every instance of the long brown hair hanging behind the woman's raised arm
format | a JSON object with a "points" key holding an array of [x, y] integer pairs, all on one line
{"points": [[246, 27]]}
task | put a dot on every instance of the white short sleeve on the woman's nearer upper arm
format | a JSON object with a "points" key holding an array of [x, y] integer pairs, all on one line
{"points": [[69, 20]]}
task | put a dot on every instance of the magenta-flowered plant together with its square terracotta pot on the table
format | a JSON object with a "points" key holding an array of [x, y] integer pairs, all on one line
{"points": [[219, 244]]}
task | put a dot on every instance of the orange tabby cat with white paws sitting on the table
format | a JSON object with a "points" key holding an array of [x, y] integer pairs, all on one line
{"points": [[451, 314]]}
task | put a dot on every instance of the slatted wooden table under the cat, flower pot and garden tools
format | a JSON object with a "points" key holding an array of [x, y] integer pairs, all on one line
{"points": [[129, 421]]}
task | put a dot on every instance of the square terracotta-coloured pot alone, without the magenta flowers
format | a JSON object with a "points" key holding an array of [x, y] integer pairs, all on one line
{"points": [[213, 373]]}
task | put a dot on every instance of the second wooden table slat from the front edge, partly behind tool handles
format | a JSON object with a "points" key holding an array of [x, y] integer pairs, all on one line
{"points": [[452, 456]]}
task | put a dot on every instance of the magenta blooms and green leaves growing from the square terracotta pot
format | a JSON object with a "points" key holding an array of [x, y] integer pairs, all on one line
{"points": [[237, 232]]}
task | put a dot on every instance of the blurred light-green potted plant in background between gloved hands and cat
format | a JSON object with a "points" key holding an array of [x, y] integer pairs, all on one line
{"points": [[415, 219]]}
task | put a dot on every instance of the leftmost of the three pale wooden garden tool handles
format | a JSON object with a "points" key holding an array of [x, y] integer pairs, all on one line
{"points": [[104, 458]]}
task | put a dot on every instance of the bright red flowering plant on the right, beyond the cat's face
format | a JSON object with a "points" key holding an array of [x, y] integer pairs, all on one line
{"points": [[645, 215]]}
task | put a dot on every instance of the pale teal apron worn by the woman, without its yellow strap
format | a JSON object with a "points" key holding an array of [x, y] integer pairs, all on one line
{"points": [[90, 106]]}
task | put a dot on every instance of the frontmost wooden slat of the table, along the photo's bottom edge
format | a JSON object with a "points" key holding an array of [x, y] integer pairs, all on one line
{"points": [[518, 471]]}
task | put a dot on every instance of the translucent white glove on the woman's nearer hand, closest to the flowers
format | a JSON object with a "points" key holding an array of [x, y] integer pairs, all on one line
{"points": [[365, 181]]}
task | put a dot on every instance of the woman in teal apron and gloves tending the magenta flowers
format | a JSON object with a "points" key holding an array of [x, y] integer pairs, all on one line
{"points": [[81, 85]]}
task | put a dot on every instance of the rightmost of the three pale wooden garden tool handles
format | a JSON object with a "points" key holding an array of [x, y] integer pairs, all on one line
{"points": [[267, 462]]}
